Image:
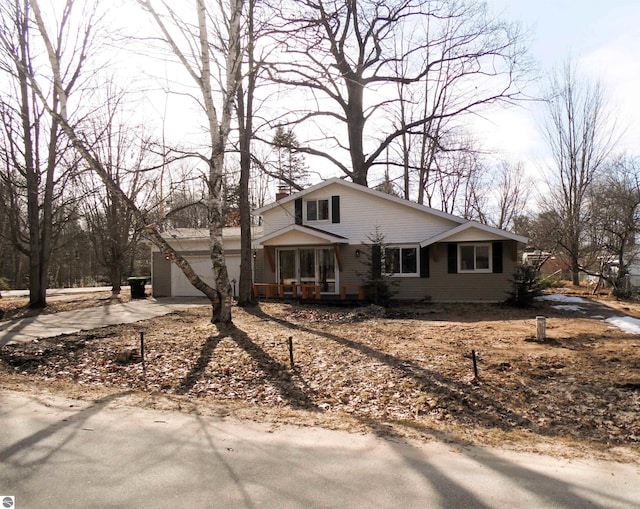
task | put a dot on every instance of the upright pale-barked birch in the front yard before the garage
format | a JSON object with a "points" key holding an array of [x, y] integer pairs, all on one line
{"points": [[195, 51]]}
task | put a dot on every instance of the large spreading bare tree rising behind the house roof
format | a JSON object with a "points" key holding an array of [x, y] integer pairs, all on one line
{"points": [[340, 58]]}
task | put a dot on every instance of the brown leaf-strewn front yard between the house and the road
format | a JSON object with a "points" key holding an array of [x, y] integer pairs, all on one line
{"points": [[406, 372]]}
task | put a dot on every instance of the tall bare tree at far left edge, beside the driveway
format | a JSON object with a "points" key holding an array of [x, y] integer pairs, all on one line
{"points": [[37, 162]]}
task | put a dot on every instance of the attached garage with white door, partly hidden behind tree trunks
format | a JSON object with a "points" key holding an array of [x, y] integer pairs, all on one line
{"points": [[167, 279]]}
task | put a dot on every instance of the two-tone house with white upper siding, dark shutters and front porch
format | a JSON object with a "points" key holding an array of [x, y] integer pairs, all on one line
{"points": [[317, 238]]}
